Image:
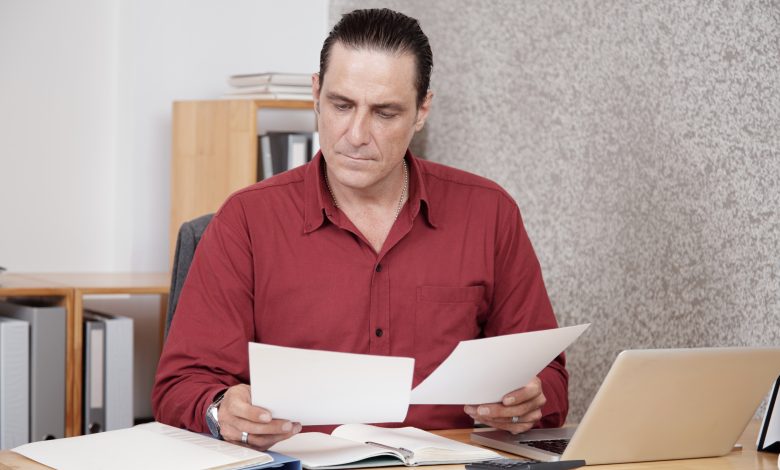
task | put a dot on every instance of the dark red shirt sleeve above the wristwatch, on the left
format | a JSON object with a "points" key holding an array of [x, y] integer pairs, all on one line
{"points": [[206, 348]]}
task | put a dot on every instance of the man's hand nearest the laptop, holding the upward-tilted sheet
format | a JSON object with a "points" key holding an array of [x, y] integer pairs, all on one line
{"points": [[518, 411]]}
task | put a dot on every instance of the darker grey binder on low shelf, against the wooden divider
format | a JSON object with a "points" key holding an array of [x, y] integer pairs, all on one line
{"points": [[47, 363]]}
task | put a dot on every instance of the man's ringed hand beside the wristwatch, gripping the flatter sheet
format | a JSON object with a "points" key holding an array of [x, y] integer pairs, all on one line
{"points": [[237, 415]]}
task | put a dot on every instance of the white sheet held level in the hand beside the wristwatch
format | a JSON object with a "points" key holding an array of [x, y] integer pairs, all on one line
{"points": [[323, 387]]}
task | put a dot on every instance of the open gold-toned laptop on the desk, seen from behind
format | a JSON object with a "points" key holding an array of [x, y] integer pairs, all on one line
{"points": [[658, 404]]}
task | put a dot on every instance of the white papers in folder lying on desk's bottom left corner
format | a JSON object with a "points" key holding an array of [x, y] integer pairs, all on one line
{"points": [[150, 446]]}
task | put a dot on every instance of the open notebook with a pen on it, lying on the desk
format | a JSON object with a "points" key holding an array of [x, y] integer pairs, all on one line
{"points": [[363, 445]]}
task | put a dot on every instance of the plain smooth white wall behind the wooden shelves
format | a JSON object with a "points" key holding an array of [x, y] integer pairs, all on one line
{"points": [[86, 89]]}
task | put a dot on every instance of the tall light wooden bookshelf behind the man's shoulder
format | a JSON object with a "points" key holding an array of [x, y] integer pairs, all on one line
{"points": [[214, 153]]}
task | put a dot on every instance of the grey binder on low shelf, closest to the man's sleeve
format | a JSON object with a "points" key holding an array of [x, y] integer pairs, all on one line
{"points": [[108, 372]]}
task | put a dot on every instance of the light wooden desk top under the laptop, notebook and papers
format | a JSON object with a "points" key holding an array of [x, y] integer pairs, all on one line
{"points": [[747, 458]]}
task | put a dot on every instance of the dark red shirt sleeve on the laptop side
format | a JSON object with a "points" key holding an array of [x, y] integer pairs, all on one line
{"points": [[520, 303]]}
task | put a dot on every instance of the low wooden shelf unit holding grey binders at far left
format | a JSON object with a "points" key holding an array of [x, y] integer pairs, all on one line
{"points": [[69, 289]]}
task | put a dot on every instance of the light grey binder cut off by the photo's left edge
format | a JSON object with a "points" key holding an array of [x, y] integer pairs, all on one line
{"points": [[14, 382]]}
